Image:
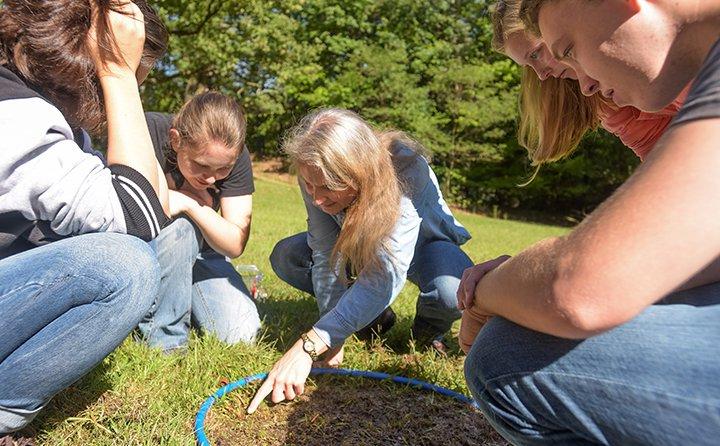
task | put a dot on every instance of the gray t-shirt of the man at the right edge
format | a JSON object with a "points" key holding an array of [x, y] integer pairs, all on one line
{"points": [[703, 101]]}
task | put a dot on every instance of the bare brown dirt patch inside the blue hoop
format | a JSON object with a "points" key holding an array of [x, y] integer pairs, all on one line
{"points": [[349, 411]]}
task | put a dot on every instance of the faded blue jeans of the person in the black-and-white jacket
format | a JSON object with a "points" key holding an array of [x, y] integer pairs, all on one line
{"points": [[65, 307]]}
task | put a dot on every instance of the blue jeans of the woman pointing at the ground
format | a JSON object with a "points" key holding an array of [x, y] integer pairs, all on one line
{"points": [[436, 269]]}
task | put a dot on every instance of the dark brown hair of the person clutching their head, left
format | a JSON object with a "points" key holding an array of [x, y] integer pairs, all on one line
{"points": [[44, 42]]}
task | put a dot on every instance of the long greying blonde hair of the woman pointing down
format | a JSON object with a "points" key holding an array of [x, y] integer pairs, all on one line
{"points": [[350, 153]]}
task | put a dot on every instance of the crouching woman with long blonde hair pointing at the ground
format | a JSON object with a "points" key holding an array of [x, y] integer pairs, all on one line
{"points": [[375, 217]]}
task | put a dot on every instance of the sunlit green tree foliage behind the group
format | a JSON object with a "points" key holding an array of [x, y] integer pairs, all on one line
{"points": [[423, 66]]}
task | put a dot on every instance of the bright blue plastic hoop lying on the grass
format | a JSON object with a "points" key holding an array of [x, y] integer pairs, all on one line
{"points": [[221, 392]]}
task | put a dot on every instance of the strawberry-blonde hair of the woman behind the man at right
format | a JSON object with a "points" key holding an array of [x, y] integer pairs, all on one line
{"points": [[554, 114]]}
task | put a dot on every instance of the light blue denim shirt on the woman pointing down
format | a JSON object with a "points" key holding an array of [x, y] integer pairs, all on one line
{"points": [[424, 217]]}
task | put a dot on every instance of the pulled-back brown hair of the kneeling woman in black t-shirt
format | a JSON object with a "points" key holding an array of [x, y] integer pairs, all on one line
{"points": [[211, 116]]}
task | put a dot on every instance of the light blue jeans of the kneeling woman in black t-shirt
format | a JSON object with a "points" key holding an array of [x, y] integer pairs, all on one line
{"points": [[196, 289]]}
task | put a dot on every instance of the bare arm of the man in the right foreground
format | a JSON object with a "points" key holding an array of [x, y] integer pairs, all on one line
{"points": [[653, 235]]}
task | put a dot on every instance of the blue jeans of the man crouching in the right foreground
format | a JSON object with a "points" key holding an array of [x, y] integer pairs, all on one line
{"points": [[651, 381]]}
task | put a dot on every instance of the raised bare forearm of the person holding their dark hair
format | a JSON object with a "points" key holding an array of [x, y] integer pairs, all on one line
{"points": [[128, 137]]}
